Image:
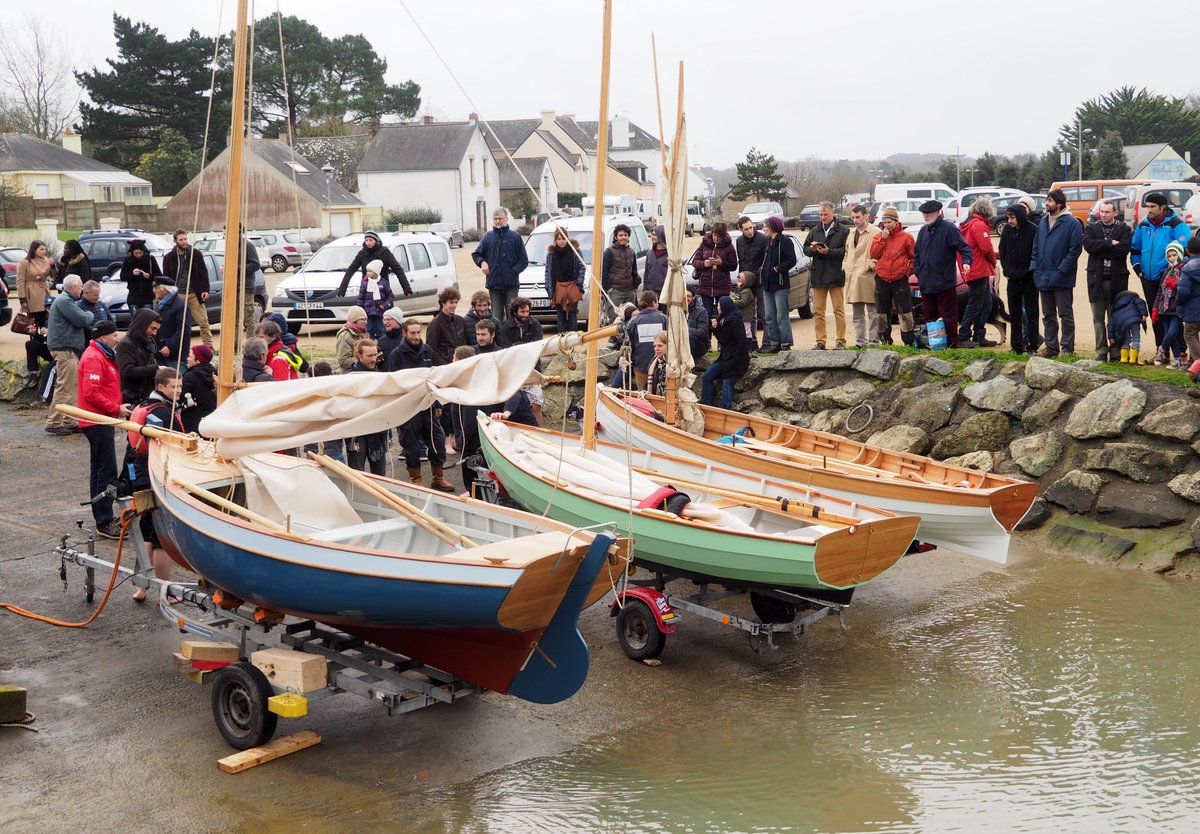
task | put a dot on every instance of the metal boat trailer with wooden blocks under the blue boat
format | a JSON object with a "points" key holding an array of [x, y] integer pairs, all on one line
{"points": [[247, 706]]}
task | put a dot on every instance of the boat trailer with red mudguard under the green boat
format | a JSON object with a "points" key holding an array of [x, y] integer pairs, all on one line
{"points": [[646, 614]]}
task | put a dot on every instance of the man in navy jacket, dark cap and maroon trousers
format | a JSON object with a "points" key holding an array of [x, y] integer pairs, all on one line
{"points": [[935, 265]]}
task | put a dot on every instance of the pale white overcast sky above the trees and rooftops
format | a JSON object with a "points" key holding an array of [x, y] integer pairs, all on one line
{"points": [[827, 80]]}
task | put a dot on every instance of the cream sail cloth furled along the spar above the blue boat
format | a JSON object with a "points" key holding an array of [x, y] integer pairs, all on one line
{"points": [[286, 415]]}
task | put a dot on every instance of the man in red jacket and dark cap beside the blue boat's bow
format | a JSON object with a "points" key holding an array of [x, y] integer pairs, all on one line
{"points": [[100, 392]]}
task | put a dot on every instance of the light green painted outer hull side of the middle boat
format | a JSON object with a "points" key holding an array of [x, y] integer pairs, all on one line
{"points": [[675, 545]]}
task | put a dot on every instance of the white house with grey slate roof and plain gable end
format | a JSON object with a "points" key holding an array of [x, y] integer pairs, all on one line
{"points": [[442, 166]]}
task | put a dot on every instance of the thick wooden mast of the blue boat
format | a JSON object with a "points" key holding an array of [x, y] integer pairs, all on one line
{"points": [[235, 262]]}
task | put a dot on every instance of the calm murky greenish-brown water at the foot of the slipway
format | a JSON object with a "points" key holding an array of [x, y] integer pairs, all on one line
{"points": [[1058, 697]]}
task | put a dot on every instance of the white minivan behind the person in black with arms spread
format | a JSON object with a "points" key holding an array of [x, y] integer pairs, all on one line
{"points": [[310, 295]]}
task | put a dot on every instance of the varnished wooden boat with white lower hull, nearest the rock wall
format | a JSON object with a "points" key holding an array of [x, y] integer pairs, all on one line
{"points": [[963, 509]]}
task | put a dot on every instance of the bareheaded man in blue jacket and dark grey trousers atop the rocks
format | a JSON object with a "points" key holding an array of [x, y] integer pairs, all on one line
{"points": [[1057, 249]]}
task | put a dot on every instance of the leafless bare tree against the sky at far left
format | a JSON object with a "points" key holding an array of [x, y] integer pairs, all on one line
{"points": [[39, 88]]}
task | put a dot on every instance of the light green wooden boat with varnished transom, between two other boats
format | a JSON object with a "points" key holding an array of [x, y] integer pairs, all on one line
{"points": [[739, 537]]}
